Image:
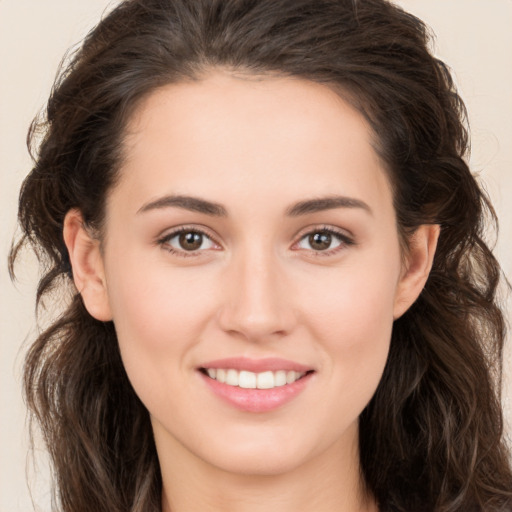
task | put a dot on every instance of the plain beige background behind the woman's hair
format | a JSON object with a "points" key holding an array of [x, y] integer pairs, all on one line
{"points": [[473, 37]]}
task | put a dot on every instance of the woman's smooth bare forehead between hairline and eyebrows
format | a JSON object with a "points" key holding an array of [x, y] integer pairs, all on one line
{"points": [[234, 137]]}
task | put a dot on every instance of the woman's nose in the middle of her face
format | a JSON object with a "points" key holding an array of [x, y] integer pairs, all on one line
{"points": [[257, 300]]}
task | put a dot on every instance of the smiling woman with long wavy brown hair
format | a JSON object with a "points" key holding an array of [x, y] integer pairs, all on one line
{"points": [[281, 295]]}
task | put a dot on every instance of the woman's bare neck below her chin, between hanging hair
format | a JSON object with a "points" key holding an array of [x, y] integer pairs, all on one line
{"points": [[329, 482]]}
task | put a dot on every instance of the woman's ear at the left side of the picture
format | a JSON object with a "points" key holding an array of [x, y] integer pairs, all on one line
{"points": [[87, 264]]}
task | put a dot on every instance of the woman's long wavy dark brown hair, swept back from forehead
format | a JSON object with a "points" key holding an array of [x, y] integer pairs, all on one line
{"points": [[431, 439]]}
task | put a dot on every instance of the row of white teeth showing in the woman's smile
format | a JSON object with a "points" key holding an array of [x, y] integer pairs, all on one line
{"points": [[251, 380]]}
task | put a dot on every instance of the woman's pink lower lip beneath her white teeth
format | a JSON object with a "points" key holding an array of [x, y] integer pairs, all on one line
{"points": [[257, 400]]}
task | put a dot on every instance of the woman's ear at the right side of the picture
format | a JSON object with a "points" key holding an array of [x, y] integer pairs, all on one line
{"points": [[416, 268]]}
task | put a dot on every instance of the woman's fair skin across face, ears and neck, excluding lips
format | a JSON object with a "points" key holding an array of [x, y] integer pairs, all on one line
{"points": [[257, 288]]}
